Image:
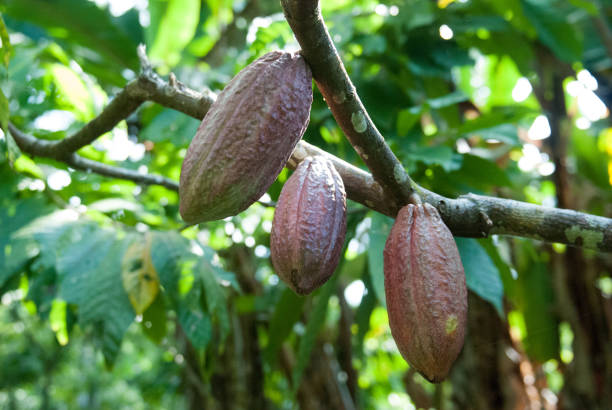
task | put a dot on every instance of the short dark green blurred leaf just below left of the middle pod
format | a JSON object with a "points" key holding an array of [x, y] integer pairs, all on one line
{"points": [[286, 314]]}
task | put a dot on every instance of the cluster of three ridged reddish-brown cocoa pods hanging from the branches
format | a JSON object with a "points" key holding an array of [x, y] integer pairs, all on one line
{"points": [[242, 144]]}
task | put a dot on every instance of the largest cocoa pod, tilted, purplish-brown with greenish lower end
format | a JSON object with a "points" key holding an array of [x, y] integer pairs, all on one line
{"points": [[246, 138]]}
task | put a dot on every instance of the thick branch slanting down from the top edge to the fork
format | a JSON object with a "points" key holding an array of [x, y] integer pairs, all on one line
{"points": [[307, 24]]}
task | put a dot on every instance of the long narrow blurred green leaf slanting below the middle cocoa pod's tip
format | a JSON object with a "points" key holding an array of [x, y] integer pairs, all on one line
{"points": [[315, 323]]}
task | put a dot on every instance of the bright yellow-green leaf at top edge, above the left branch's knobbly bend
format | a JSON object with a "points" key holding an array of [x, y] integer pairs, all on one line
{"points": [[176, 29]]}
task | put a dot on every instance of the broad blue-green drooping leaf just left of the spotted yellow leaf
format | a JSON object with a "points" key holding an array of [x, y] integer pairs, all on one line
{"points": [[89, 269]]}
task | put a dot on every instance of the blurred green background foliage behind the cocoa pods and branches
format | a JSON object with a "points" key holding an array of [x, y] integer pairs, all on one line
{"points": [[107, 302]]}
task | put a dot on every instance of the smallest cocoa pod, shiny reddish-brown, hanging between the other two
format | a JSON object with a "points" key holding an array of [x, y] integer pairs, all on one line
{"points": [[309, 225]]}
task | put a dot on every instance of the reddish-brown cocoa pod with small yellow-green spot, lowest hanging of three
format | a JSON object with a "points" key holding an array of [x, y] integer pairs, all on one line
{"points": [[425, 290]]}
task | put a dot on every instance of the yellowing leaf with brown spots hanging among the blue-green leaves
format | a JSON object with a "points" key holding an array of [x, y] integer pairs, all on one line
{"points": [[139, 277]]}
